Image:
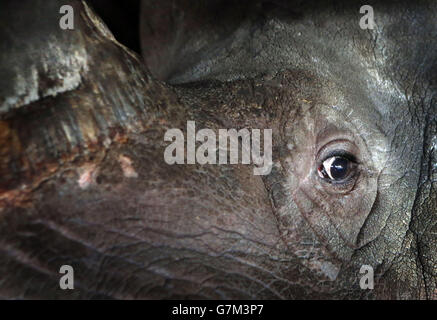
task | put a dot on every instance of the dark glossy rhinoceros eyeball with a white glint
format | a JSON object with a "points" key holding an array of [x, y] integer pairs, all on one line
{"points": [[337, 168]]}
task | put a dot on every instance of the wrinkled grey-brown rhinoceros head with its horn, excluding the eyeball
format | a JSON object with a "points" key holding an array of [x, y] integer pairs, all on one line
{"points": [[83, 181]]}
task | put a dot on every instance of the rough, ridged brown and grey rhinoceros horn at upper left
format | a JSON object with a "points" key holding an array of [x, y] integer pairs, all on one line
{"points": [[64, 93]]}
